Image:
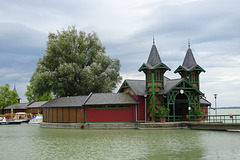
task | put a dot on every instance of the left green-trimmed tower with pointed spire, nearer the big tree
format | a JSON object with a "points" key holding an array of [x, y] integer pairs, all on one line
{"points": [[154, 71]]}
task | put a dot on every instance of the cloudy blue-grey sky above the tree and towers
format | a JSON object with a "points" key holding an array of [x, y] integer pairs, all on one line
{"points": [[126, 29]]}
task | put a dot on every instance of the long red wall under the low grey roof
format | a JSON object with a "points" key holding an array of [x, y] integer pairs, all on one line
{"points": [[98, 115]]}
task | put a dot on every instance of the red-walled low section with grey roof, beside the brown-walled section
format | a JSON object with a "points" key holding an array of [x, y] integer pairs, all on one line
{"points": [[111, 107]]}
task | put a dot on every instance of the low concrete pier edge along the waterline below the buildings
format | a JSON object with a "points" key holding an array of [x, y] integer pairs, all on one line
{"points": [[147, 126]]}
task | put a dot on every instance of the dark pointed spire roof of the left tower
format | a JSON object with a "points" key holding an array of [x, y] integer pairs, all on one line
{"points": [[154, 58]]}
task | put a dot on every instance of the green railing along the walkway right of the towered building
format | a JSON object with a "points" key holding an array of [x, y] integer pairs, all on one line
{"points": [[215, 118]]}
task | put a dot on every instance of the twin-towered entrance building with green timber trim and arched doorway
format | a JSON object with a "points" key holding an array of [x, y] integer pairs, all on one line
{"points": [[181, 96]]}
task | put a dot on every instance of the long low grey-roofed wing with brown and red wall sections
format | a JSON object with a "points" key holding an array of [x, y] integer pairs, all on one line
{"points": [[97, 107]]}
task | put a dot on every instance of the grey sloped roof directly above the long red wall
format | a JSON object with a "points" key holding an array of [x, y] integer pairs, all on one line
{"points": [[111, 99]]}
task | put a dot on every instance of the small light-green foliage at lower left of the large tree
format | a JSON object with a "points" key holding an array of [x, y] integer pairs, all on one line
{"points": [[33, 96]]}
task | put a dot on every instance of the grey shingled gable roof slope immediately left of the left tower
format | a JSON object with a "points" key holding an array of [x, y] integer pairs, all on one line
{"points": [[138, 86]]}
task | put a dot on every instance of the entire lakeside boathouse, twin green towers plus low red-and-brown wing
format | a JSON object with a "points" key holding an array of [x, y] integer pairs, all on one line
{"points": [[137, 100]]}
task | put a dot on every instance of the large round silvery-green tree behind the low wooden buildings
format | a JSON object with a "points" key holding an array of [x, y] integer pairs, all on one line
{"points": [[75, 64]]}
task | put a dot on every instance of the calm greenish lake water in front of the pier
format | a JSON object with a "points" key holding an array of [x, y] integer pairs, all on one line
{"points": [[28, 141]]}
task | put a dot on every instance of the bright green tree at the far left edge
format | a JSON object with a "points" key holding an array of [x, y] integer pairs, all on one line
{"points": [[7, 97]]}
